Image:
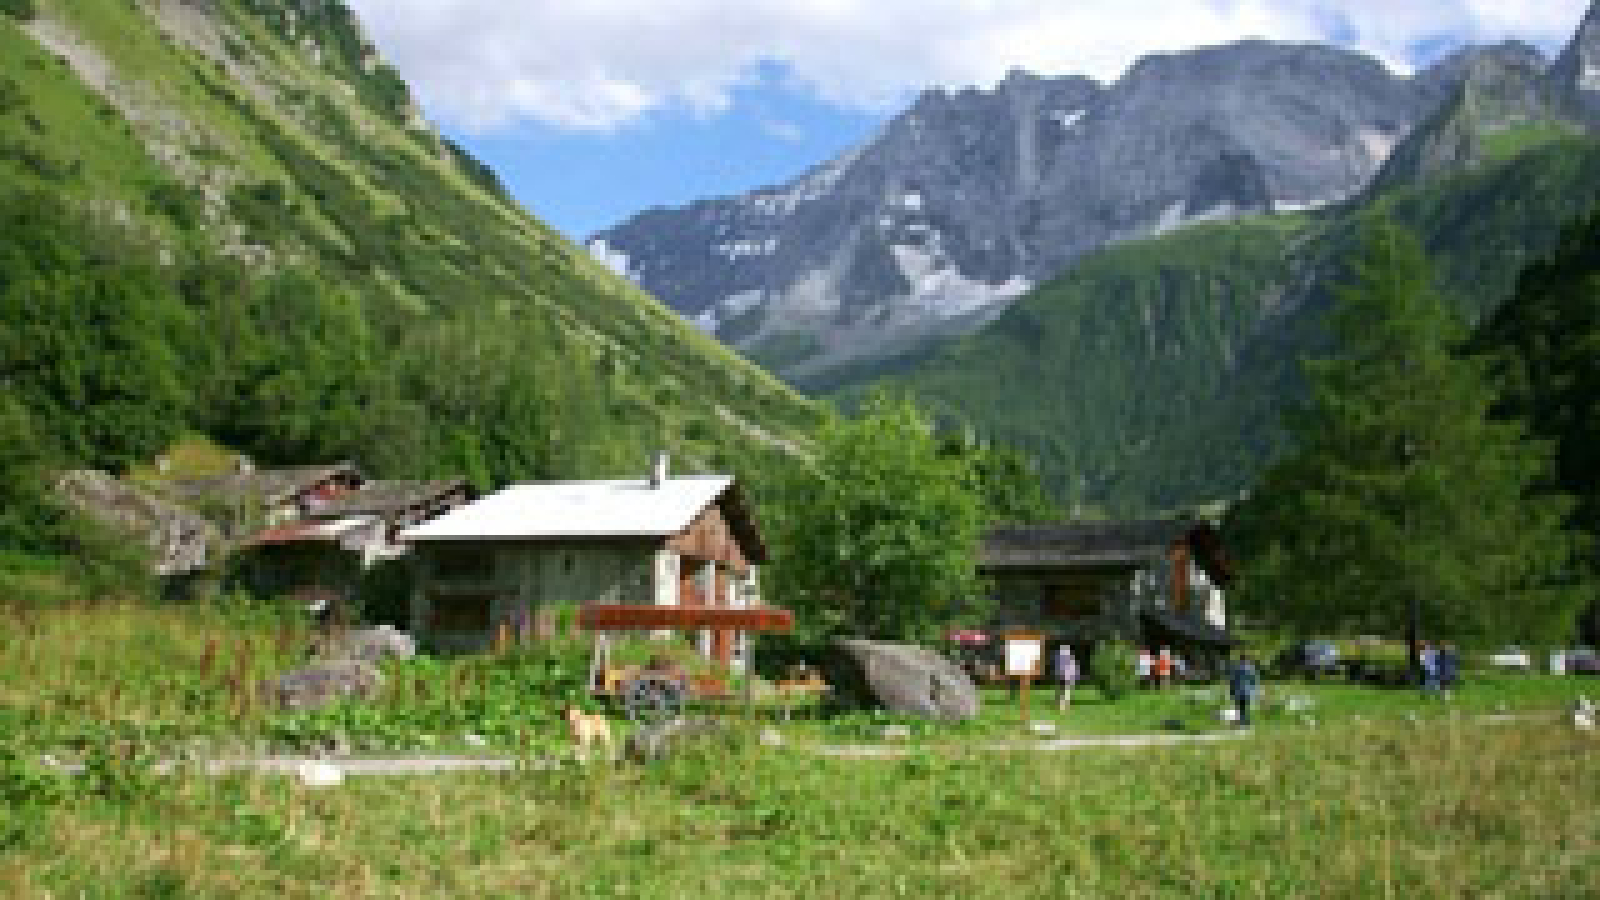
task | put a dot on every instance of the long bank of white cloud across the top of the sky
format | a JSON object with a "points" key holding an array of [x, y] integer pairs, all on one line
{"points": [[598, 65]]}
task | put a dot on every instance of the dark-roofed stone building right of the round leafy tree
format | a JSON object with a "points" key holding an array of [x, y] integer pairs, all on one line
{"points": [[1159, 582]]}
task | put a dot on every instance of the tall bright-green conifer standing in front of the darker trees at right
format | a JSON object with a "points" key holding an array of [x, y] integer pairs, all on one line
{"points": [[1402, 489]]}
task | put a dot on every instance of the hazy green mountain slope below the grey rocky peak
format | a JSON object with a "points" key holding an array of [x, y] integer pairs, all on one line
{"points": [[1153, 376]]}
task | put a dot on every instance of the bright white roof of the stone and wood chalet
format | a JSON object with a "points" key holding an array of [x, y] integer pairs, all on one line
{"points": [[577, 510]]}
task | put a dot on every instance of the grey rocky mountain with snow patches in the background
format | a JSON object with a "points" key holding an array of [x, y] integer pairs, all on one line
{"points": [[972, 198]]}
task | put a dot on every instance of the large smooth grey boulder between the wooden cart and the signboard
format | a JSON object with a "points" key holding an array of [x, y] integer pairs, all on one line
{"points": [[908, 678]]}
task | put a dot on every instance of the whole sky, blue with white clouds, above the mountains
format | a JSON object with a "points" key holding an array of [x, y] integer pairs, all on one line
{"points": [[596, 110]]}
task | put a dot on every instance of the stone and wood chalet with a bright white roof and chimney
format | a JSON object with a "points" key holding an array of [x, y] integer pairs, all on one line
{"points": [[524, 560]]}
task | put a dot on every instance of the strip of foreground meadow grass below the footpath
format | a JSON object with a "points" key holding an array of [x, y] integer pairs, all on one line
{"points": [[1454, 810]]}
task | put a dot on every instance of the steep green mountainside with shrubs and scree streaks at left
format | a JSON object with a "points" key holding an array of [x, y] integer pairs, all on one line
{"points": [[332, 278]]}
